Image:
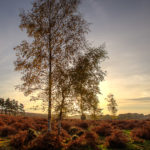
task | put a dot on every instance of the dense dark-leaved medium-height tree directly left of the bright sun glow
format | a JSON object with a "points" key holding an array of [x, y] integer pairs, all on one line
{"points": [[86, 76]]}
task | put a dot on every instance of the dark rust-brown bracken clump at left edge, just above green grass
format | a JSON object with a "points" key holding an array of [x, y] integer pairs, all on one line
{"points": [[7, 131]]}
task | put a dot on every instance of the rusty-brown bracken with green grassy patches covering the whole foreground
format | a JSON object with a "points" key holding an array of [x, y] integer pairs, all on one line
{"points": [[28, 133]]}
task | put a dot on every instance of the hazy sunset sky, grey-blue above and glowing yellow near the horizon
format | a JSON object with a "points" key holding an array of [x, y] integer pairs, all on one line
{"points": [[122, 25]]}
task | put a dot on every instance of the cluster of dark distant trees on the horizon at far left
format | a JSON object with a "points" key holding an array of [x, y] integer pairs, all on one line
{"points": [[11, 107]]}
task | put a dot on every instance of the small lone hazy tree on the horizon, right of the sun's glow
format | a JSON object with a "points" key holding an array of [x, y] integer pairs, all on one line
{"points": [[112, 105]]}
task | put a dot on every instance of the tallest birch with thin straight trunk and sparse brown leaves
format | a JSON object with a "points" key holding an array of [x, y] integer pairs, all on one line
{"points": [[58, 32]]}
